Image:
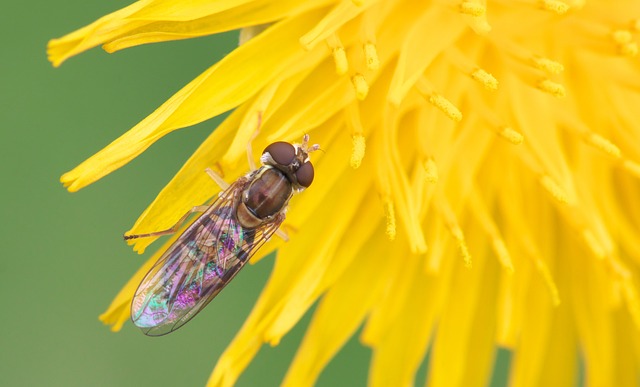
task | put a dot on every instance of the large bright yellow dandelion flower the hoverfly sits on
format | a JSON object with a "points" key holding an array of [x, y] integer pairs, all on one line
{"points": [[479, 186]]}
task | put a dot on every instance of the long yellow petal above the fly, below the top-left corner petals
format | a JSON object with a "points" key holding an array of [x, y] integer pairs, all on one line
{"points": [[222, 87]]}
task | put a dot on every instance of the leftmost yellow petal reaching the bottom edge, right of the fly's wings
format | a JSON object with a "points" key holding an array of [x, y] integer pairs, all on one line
{"points": [[291, 288]]}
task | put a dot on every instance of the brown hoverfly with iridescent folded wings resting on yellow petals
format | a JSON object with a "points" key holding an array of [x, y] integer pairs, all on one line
{"points": [[211, 251]]}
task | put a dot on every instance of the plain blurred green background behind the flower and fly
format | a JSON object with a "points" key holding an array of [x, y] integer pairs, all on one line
{"points": [[64, 258]]}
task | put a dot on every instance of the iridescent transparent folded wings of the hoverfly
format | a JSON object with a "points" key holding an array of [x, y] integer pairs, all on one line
{"points": [[201, 262]]}
